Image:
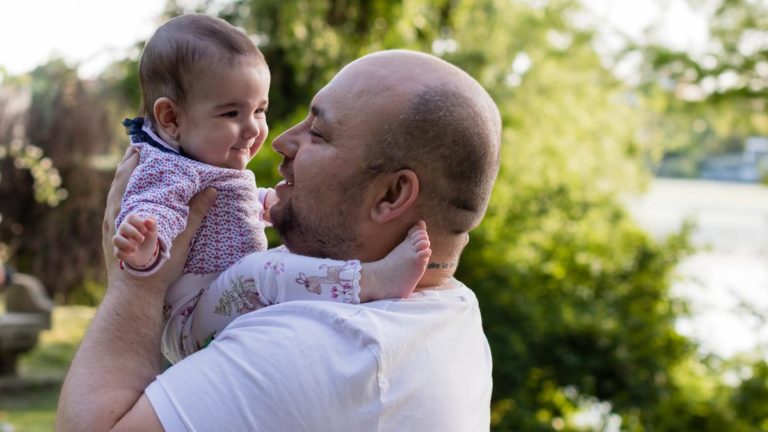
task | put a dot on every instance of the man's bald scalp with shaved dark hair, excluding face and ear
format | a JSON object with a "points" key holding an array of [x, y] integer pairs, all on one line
{"points": [[445, 127]]}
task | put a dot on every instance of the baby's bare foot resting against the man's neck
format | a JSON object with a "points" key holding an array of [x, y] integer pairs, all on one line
{"points": [[396, 275]]}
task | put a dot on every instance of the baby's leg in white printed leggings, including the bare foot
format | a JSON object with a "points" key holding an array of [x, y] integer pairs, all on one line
{"points": [[276, 276]]}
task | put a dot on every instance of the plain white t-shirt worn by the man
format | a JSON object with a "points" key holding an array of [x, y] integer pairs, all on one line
{"points": [[418, 364]]}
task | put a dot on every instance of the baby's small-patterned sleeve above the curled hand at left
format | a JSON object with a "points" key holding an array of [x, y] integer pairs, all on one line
{"points": [[161, 187]]}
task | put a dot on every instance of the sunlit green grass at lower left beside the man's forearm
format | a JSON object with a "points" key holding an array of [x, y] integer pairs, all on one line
{"points": [[33, 407]]}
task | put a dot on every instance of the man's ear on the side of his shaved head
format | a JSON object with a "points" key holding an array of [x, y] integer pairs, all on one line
{"points": [[396, 196]]}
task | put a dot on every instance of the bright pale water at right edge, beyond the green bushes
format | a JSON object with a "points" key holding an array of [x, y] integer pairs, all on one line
{"points": [[726, 281]]}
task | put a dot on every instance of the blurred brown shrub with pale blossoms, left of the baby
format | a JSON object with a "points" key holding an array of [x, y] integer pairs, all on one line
{"points": [[64, 119]]}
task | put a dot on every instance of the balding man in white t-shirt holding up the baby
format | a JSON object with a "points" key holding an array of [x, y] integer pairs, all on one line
{"points": [[394, 138]]}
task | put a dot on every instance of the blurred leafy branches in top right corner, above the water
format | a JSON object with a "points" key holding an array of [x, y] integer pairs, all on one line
{"points": [[708, 100]]}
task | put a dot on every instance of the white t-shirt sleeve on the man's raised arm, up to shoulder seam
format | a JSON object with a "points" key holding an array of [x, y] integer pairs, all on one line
{"points": [[288, 367]]}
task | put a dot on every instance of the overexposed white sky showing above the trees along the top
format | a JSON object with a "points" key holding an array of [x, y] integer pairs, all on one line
{"points": [[94, 33]]}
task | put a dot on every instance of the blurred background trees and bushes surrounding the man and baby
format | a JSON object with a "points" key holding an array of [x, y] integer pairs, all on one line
{"points": [[576, 296]]}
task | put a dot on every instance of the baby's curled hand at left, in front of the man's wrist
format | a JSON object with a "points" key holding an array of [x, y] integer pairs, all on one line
{"points": [[136, 241]]}
